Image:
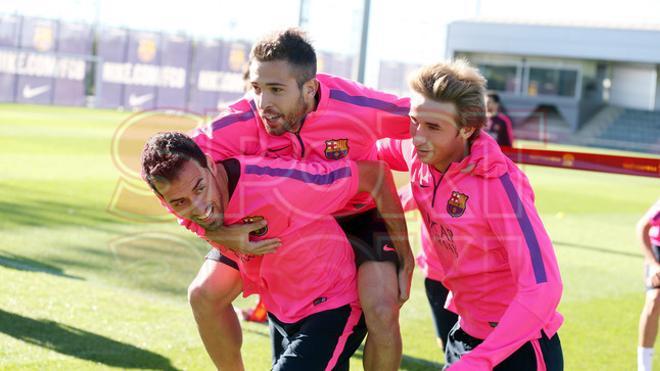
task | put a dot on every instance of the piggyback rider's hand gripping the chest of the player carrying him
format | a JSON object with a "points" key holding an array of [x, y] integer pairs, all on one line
{"points": [[237, 238]]}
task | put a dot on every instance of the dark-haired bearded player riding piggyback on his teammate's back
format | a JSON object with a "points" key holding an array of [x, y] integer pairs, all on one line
{"points": [[293, 112]]}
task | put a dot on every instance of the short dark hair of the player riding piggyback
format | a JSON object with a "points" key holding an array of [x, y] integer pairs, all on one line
{"points": [[292, 46]]}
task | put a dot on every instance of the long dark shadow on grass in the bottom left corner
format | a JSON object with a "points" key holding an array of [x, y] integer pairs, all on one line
{"points": [[80, 343]]}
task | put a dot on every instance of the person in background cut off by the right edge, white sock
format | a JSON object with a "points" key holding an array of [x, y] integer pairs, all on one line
{"points": [[648, 230]]}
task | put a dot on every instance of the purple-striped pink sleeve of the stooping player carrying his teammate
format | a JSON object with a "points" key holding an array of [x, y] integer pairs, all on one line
{"points": [[304, 188]]}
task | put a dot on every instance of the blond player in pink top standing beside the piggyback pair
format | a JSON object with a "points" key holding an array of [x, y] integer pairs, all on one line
{"points": [[497, 259]]}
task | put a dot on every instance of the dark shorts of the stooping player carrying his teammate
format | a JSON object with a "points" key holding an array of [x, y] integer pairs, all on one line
{"points": [[324, 340]]}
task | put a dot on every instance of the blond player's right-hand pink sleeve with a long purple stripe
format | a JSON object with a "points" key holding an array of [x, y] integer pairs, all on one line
{"points": [[516, 224]]}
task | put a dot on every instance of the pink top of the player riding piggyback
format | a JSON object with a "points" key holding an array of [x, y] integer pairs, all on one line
{"points": [[348, 121]]}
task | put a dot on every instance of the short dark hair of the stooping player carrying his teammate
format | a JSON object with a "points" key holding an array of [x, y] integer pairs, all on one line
{"points": [[164, 154]]}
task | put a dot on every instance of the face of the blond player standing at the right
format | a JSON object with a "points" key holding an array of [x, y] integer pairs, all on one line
{"points": [[435, 134]]}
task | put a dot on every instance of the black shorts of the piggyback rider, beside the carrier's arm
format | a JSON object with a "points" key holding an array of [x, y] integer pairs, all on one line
{"points": [[368, 236]]}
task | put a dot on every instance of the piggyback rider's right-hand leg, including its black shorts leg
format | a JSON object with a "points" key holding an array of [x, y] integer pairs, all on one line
{"points": [[378, 288]]}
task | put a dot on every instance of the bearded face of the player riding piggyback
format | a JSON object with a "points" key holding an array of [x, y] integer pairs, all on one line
{"points": [[278, 97]]}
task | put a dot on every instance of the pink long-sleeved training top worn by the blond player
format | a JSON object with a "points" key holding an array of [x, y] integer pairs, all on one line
{"points": [[496, 256]]}
